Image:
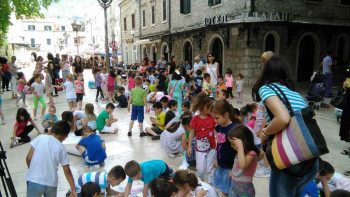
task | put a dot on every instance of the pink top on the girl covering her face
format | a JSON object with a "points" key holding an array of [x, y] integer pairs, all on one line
{"points": [[244, 176]]}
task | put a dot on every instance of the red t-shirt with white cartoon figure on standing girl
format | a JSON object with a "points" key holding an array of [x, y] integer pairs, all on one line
{"points": [[204, 133]]}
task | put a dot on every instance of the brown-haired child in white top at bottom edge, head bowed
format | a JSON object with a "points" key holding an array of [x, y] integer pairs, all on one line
{"points": [[188, 185]]}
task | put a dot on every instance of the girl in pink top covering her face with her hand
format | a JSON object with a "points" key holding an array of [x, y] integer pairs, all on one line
{"points": [[245, 162]]}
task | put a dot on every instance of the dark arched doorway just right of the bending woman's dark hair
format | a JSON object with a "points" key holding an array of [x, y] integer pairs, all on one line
{"points": [[306, 58]]}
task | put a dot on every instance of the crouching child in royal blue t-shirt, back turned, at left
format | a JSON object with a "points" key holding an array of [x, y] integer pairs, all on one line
{"points": [[92, 149]]}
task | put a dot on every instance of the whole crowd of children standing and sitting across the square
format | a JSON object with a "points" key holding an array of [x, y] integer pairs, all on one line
{"points": [[193, 116]]}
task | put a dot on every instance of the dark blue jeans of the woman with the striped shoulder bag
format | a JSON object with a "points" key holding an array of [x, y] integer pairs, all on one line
{"points": [[286, 185]]}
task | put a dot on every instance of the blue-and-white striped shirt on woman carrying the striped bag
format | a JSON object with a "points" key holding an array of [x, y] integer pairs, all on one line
{"points": [[295, 99]]}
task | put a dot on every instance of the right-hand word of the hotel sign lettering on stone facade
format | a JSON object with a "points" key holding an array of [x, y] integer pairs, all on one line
{"points": [[267, 16]]}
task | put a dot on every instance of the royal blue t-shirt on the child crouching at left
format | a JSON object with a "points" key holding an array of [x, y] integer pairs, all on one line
{"points": [[93, 145]]}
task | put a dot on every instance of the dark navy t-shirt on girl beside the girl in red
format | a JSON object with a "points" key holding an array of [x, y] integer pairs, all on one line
{"points": [[225, 153]]}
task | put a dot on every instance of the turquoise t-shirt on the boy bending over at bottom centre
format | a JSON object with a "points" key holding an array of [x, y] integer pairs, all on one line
{"points": [[151, 170]]}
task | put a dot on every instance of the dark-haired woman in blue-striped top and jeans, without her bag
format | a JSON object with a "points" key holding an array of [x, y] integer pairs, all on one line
{"points": [[290, 181]]}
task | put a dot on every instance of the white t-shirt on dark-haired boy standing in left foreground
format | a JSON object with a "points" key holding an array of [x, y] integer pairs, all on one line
{"points": [[49, 152]]}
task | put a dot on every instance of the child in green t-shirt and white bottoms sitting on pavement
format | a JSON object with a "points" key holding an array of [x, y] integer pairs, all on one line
{"points": [[105, 120]]}
